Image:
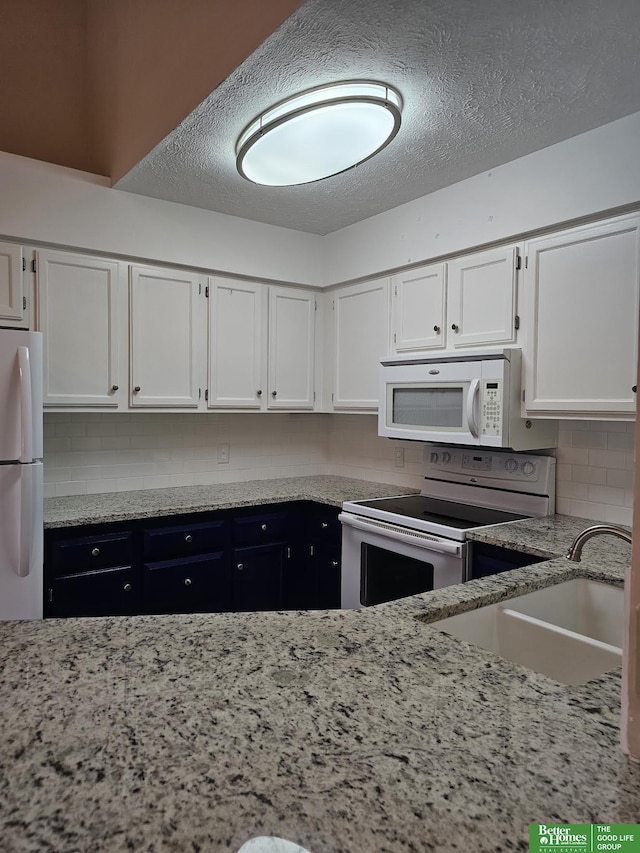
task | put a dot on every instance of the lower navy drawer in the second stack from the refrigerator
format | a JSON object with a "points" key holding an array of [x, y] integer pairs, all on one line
{"points": [[195, 584]]}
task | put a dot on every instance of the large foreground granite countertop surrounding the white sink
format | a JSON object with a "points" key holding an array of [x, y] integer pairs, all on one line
{"points": [[355, 731]]}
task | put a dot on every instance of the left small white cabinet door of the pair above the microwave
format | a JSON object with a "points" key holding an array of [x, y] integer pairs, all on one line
{"points": [[418, 309]]}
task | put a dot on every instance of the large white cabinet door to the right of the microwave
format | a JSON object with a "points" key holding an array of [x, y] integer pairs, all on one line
{"points": [[581, 290]]}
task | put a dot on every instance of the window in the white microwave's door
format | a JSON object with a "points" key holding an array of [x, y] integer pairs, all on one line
{"points": [[429, 407]]}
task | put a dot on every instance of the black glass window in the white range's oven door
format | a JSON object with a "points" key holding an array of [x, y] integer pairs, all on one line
{"points": [[385, 576]]}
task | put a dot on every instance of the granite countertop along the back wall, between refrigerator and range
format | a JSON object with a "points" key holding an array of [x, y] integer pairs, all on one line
{"points": [[124, 506]]}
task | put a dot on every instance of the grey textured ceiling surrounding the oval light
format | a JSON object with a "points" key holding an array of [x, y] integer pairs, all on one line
{"points": [[482, 82]]}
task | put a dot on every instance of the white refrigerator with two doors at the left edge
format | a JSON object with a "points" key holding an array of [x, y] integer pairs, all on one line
{"points": [[21, 475]]}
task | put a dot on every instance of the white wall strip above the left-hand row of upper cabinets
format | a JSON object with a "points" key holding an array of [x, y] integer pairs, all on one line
{"points": [[43, 203]]}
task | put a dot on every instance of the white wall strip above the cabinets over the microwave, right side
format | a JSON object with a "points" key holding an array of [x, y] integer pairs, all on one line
{"points": [[596, 171]]}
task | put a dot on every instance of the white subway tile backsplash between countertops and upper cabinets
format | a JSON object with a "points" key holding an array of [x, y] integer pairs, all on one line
{"points": [[86, 453]]}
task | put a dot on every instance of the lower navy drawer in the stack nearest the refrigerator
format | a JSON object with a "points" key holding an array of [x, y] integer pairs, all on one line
{"points": [[105, 592]]}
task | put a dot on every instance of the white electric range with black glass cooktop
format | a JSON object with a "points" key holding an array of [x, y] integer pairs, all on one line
{"points": [[404, 545]]}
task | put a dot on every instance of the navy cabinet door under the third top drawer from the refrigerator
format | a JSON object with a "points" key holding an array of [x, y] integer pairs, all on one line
{"points": [[256, 577]]}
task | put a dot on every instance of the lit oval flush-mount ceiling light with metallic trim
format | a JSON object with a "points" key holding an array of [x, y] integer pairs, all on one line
{"points": [[318, 133]]}
